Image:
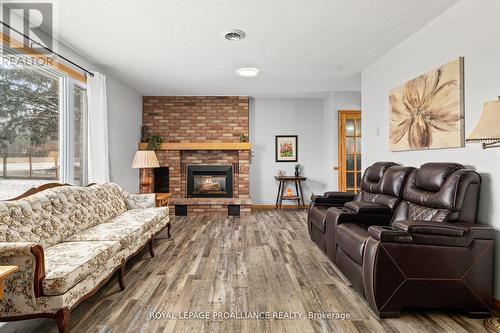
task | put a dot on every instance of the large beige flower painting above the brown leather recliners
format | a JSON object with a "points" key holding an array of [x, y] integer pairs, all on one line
{"points": [[427, 112]]}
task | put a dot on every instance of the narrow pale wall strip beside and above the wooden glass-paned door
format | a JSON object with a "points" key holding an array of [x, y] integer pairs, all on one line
{"points": [[332, 103]]}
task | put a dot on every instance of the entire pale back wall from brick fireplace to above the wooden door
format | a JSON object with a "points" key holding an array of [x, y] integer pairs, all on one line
{"points": [[314, 120]]}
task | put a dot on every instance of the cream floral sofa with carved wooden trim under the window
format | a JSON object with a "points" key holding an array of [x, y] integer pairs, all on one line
{"points": [[69, 240]]}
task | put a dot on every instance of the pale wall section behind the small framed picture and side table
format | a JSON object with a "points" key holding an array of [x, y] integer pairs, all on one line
{"points": [[285, 116]]}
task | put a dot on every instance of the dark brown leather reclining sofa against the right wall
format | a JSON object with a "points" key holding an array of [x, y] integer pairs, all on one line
{"points": [[425, 252]]}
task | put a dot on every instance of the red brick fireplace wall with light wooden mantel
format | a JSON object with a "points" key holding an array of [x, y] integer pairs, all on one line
{"points": [[197, 131]]}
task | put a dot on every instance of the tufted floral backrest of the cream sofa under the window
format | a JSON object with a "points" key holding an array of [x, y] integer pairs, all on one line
{"points": [[42, 217]]}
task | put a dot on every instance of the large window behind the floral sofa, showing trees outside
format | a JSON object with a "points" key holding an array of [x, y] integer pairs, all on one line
{"points": [[37, 106]]}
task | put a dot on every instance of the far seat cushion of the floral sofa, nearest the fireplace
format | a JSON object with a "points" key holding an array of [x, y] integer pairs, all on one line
{"points": [[125, 228]]}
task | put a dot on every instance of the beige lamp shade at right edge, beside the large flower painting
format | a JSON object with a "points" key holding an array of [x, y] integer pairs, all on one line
{"points": [[487, 129]]}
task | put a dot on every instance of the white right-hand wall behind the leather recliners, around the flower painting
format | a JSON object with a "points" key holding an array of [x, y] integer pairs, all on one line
{"points": [[469, 29]]}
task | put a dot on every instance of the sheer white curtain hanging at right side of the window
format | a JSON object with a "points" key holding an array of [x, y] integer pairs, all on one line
{"points": [[98, 129]]}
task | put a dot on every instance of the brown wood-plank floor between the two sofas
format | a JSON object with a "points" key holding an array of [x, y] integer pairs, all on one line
{"points": [[264, 262]]}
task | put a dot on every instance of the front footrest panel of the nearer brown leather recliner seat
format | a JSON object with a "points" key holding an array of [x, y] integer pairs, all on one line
{"points": [[351, 238]]}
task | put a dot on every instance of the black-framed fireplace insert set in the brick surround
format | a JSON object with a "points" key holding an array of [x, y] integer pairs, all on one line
{"points": [[210, 181]]}
